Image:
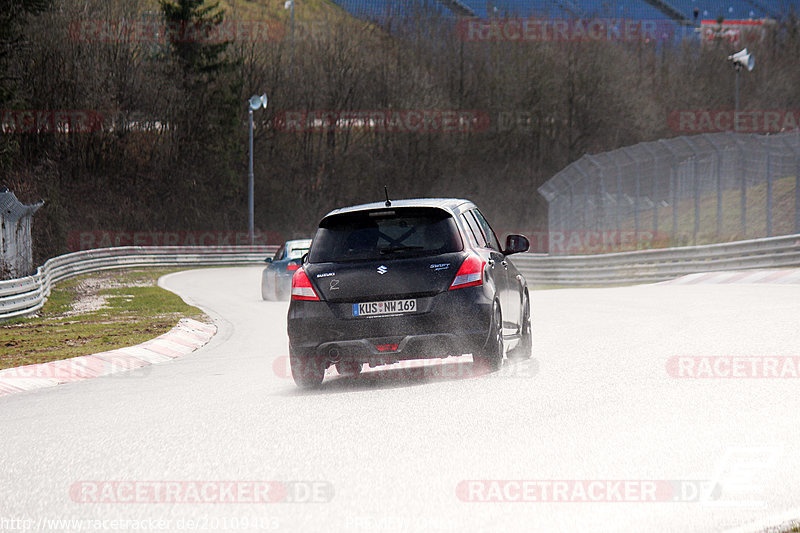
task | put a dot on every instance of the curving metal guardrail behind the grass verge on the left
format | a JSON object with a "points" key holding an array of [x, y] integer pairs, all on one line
{"points": [[25, 296]]}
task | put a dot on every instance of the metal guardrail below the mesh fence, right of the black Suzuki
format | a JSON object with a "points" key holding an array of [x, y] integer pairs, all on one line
{"points": [[646, 266]]}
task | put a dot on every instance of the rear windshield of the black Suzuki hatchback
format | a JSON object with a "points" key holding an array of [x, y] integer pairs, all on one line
{"points": [[385, 234]]}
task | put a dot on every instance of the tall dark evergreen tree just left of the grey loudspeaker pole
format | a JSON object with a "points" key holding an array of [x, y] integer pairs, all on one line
{"points": [[204, 109]]}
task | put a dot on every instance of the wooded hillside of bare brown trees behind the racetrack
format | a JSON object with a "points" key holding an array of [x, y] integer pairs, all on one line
{"points": [[172, 153]]}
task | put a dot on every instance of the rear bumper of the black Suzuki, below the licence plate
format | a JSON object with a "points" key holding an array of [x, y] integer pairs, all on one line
{"points": [[451, 323]]}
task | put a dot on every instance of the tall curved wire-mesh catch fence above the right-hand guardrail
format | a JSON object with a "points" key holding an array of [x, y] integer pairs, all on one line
{"points": [[684, 190]]}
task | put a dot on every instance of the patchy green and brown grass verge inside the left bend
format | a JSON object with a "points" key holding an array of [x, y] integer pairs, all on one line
{"points": [[94, 313]]}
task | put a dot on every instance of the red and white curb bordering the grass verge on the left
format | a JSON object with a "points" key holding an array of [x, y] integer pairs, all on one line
{"points": [[186, 337]]}
